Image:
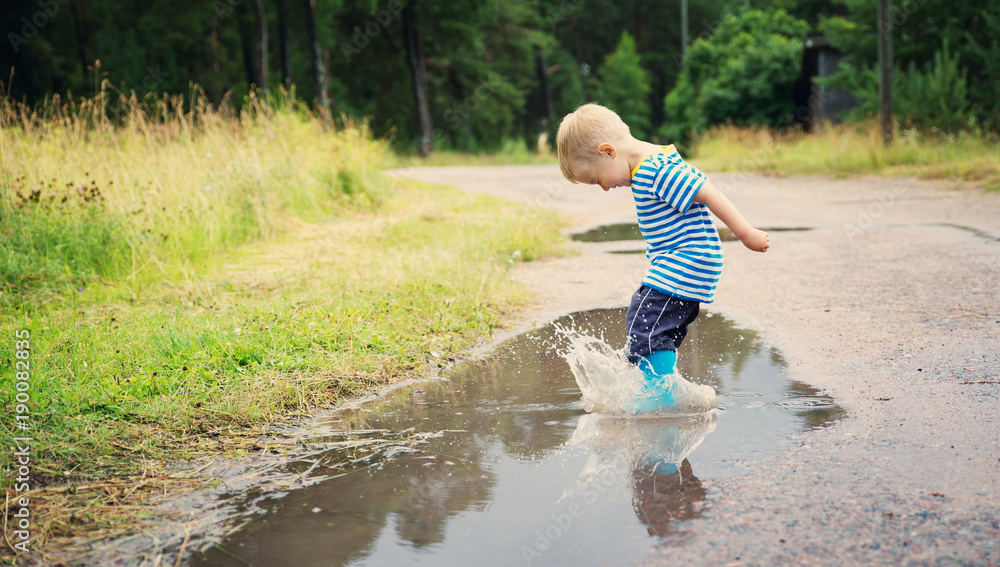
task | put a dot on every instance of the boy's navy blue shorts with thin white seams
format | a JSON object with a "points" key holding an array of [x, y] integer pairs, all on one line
{"points": [[656, 321]]}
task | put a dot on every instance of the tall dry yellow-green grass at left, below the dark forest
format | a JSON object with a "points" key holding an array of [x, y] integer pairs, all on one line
{"points": [[162, 184]]}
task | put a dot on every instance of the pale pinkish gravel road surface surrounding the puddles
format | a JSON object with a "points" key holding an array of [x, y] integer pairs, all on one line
{"points": [[891, 303]]}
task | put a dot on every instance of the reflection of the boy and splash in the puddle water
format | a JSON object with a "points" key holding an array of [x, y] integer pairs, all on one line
{"points": [[664, 488]]}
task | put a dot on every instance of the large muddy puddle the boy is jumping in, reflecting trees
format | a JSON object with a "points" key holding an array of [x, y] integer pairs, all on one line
{"points": [[501, 465]]}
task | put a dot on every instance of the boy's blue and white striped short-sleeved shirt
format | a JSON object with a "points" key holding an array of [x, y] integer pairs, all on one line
{"points": [[682, 245]]}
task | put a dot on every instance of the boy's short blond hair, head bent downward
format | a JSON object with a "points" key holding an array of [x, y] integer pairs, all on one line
{"points": [[581, 131]]}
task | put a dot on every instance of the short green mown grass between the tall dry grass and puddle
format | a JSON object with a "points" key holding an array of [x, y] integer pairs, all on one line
{"points": [[277, 329]]}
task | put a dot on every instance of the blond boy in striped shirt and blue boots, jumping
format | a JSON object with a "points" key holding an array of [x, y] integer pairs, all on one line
{"points": [[674, 202]]}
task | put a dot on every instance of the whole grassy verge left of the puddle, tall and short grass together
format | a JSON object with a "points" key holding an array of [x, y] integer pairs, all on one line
{"points": [[187, 281]]}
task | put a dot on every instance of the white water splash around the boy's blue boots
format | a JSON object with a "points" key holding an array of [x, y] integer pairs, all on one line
{"points": [[612, 385]]}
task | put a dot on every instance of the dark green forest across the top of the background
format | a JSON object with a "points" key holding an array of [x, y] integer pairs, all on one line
{"points": [[474, 75]]}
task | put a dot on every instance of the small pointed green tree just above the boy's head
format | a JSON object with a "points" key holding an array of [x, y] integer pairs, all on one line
{"points": [[624, 86]]}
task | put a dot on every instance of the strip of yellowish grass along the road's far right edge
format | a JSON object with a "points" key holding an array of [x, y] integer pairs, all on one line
{"points": [[851, 149]]}
